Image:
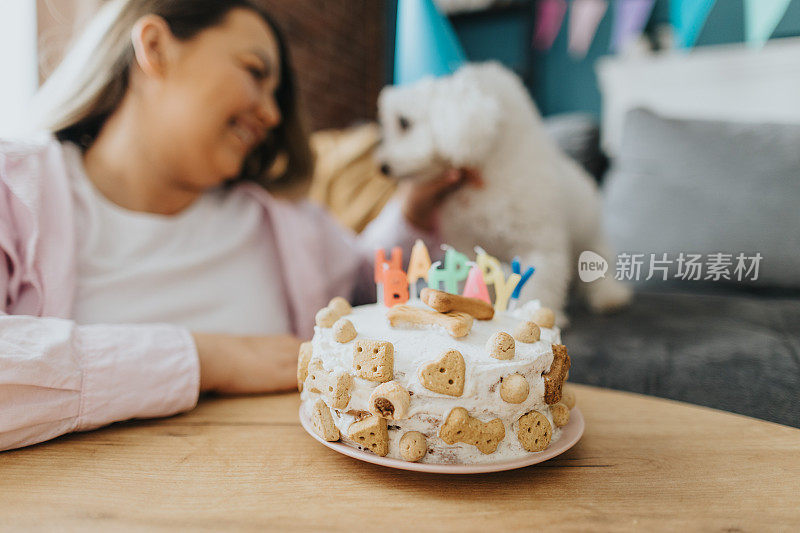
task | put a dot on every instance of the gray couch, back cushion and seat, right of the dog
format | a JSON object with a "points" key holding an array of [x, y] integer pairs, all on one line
{"points": [[700, 187]]}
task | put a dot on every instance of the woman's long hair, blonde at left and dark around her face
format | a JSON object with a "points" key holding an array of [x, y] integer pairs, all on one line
{"points": [[91, 81]]}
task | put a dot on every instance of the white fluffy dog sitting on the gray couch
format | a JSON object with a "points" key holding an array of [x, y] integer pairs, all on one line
{"points": [[536, 203]]}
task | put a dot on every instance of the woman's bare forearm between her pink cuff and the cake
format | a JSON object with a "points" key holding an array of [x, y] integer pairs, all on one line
{"points": [[231, 364]]}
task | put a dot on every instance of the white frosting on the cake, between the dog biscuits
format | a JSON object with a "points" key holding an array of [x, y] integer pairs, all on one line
{"points": [[481, 396]]}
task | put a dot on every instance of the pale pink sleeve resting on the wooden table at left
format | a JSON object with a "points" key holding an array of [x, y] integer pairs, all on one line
{"points": [[57, 377]]}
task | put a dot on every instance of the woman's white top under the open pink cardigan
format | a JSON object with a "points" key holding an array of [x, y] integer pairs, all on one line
{"points": [[210, 268]]}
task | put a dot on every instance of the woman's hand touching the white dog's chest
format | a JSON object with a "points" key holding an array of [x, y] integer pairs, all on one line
{"points": [[421, 199]]}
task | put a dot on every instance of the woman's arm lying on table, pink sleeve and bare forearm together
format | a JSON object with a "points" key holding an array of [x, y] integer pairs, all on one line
{"points": [[57, 377]]}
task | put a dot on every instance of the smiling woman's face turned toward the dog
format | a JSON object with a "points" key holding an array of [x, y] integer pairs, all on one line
{"points": [[216, 101]]}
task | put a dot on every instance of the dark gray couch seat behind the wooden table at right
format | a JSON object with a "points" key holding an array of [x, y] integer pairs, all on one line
{"points": [[732, 351]]}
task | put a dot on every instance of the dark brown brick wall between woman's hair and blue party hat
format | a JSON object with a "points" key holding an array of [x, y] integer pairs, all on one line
{"points": [[337, 49]]}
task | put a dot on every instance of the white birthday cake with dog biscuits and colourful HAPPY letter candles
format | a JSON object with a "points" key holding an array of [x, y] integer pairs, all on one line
{"points": [[443, 378]]}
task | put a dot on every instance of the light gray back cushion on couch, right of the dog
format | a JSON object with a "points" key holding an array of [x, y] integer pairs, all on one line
{"points": [[708, 187]]}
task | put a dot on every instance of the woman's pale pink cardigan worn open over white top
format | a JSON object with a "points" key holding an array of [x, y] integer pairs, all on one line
{"points": [[57, 376]]}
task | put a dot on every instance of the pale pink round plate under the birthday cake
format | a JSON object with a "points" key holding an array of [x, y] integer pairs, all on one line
{"points": [[570, 434]]}
